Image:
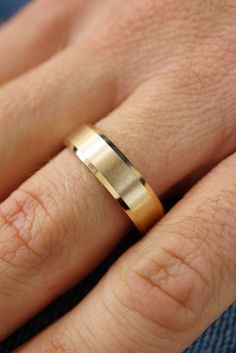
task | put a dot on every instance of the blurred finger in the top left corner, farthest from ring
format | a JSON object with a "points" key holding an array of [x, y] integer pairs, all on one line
{"points": [[30, 38]]}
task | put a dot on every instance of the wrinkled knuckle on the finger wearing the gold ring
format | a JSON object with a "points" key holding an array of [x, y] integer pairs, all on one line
{"points": [[26, 226]]}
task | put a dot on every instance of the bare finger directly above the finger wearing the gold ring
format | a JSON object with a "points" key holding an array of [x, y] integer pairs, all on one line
{"points": [[42, 107]]}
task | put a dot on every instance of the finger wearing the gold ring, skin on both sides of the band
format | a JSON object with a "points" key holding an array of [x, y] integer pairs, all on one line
{"points": [[63, 219]]}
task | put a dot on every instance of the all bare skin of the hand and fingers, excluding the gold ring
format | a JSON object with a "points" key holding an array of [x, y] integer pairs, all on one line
{"points": [[158, 78]]}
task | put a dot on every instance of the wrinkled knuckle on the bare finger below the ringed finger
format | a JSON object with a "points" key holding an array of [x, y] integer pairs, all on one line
{"points": [[168, 287]]}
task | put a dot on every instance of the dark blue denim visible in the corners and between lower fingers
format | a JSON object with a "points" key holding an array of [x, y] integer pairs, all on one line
{"points": [[219, 338]]}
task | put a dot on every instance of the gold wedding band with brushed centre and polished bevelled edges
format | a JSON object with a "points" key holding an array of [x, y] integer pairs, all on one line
{"points": [[117, 175]]}
